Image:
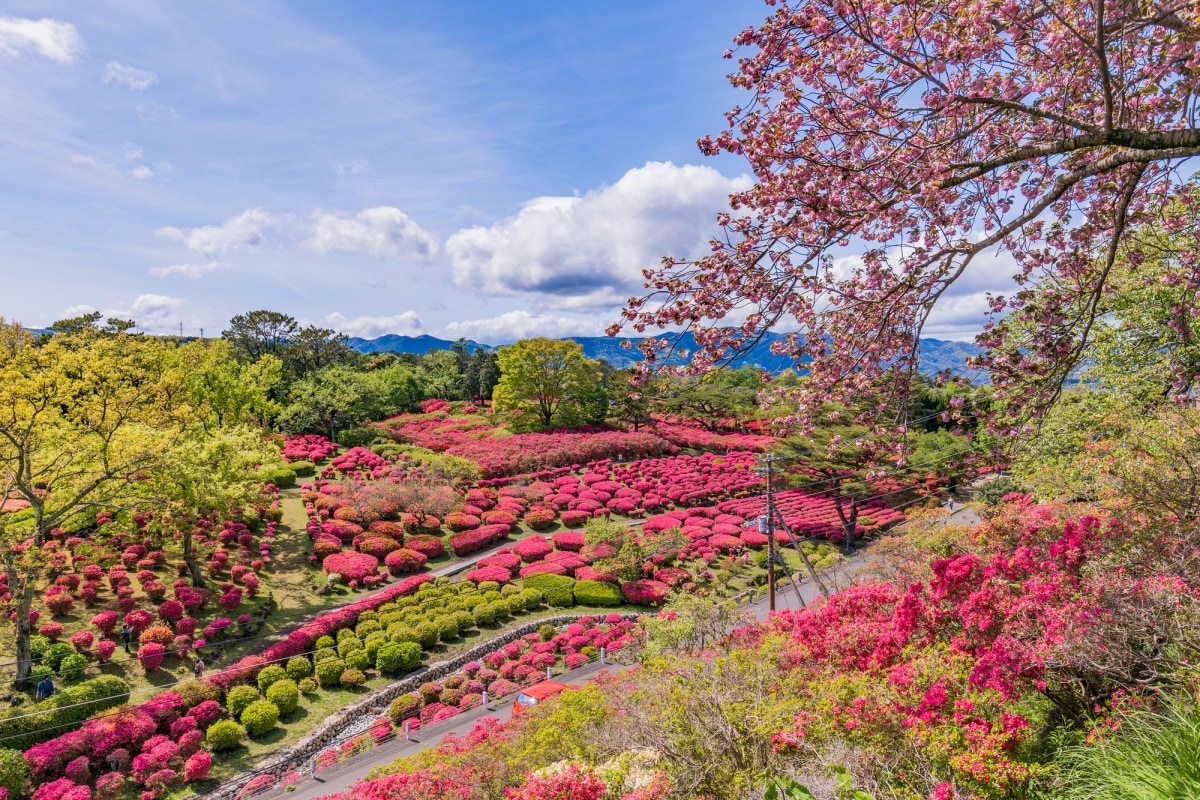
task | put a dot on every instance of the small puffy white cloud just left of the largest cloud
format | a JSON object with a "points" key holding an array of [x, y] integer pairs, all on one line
{"points": [[382, 232]]}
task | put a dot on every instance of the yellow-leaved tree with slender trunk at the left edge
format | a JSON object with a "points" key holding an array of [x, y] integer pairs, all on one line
{"points": [[83, 417]]}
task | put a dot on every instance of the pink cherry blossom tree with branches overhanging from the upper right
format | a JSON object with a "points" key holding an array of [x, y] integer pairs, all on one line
{"points": [[899, 148]]}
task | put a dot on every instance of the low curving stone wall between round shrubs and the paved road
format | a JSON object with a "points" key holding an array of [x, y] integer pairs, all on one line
{"points": [[376, 705]]}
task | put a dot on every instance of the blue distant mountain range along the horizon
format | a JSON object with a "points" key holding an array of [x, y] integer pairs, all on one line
{"points": [[935, 354]]}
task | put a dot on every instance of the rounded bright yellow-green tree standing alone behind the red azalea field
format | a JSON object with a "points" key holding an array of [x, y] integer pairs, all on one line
{"points": [[548, 383]]}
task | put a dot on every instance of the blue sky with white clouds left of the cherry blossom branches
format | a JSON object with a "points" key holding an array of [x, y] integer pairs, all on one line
{"points": [[481, 170]]}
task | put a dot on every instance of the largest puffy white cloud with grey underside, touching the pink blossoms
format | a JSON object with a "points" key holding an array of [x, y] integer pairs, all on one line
{"points": [[590, 251]]}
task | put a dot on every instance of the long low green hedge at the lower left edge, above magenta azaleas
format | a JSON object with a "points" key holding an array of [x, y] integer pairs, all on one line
{"points": [[22, 727]]}
